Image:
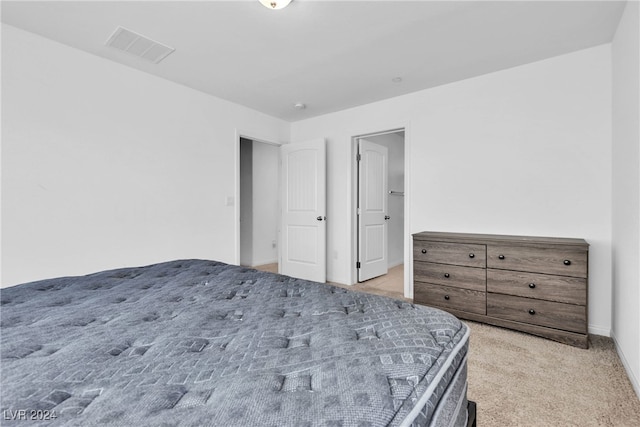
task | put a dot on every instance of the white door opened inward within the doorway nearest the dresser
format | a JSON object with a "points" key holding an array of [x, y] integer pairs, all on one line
{"points": [[372, 210]]}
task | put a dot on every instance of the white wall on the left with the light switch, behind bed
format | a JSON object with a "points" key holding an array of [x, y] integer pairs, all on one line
{"points": [[104, 166]]}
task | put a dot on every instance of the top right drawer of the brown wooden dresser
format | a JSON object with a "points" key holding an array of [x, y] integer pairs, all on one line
{"points": [[563, 262]]}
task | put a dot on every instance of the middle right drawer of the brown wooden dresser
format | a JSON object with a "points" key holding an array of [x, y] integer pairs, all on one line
{"points": [[572, 290]]}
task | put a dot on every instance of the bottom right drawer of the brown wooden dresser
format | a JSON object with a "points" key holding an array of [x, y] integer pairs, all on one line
{"points": [[557, 315]]}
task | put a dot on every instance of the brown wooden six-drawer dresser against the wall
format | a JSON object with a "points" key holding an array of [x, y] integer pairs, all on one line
{"points": [[536, 285]]}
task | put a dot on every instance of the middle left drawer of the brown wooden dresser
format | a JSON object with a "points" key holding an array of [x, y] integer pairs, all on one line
{"points": [[450, 275]]}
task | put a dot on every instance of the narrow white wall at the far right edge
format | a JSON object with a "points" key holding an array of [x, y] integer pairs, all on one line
{"points": [[626, 190]]}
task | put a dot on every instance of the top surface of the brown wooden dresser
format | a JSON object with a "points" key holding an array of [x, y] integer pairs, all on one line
{"points": [[496, 238]]}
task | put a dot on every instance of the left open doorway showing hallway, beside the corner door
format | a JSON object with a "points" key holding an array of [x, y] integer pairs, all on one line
{"points": [[259, 204]]}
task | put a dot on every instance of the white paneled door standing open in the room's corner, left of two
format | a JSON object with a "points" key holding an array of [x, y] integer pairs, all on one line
{"points": [[303, 232]]}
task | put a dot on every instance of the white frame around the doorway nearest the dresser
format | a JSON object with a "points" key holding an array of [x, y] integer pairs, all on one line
{"points": [[353, 203]]}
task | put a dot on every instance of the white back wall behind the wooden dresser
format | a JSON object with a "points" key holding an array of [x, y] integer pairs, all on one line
{"points": [[521, 151]]}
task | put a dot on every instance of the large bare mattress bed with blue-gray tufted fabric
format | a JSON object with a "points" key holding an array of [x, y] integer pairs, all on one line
{"points": [[203, 343]]}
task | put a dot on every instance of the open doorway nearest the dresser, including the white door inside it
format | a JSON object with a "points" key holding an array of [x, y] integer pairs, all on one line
{"points": [[380, 241]]}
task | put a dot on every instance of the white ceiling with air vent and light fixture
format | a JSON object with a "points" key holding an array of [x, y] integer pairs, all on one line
{"points": [[329, 55]]}
